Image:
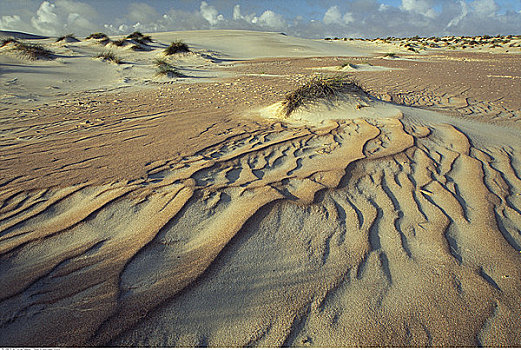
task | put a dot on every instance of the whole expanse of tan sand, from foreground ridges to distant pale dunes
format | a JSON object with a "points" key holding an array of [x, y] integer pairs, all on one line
{"points": [[148, 211]]}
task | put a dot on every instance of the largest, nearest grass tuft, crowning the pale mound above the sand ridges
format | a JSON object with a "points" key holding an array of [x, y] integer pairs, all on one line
{"points": [[319, 88]]}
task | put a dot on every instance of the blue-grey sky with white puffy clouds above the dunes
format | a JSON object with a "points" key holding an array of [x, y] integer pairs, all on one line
{"points": [[301, 18]]}
